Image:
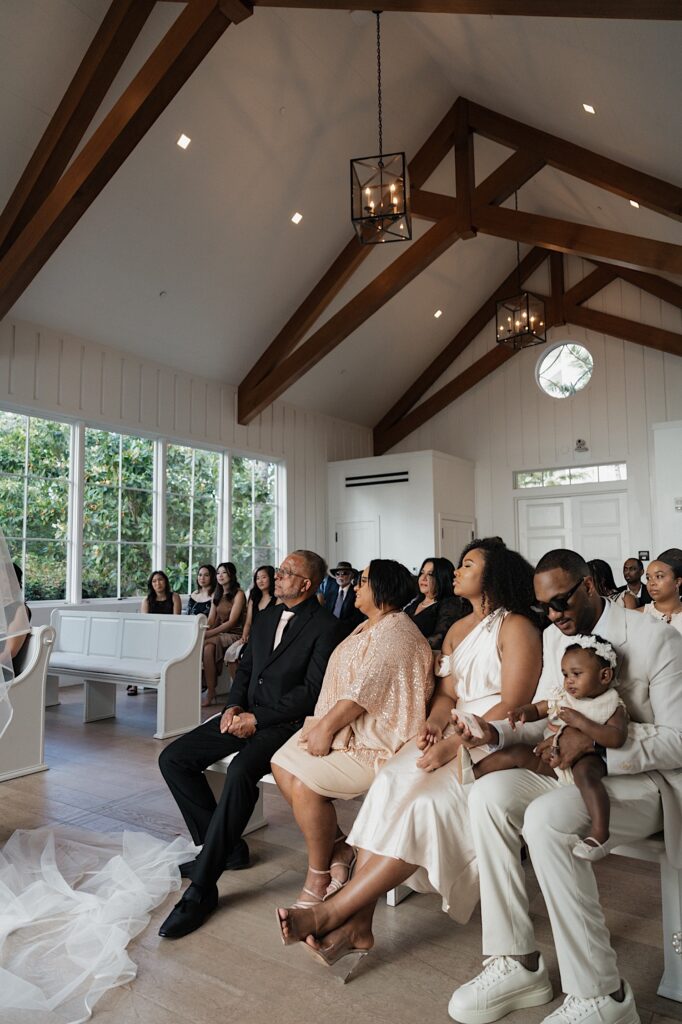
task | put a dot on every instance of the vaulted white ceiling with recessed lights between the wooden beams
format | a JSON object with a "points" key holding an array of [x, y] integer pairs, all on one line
{"points": [[275, 113]]}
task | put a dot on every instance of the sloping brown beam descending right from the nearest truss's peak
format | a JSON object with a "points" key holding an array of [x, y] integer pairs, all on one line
{"points": [[610, 175]]}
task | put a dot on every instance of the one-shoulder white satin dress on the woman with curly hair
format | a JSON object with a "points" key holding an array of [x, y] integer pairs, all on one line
{"points": [[422, 818]]}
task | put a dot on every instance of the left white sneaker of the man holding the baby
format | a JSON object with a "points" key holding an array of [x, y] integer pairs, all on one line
{"points": [[502, 987]]}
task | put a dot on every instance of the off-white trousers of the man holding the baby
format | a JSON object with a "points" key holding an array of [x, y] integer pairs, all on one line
{"points": [[514, 807]]}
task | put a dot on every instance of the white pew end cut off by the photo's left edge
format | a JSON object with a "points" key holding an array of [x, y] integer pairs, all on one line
{"points": [[23, 744]]}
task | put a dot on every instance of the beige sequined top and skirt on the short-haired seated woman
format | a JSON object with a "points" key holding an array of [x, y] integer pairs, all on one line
{"points": [[388, 670]]}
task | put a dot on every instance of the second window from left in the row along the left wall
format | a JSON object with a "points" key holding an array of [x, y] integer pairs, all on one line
{"points": [[118, 515]]}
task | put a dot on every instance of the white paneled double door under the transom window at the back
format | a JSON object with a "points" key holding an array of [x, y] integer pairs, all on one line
{"points": [[594, 525]]}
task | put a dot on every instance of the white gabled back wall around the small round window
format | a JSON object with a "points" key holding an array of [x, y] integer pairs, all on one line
{"points": [[506, 423]]}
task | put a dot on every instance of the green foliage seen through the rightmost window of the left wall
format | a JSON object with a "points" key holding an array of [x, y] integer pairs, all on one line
{"points": [[254, 517]]}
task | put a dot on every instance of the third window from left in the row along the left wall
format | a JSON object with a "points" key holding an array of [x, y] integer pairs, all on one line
{"points": [[193, 505]]}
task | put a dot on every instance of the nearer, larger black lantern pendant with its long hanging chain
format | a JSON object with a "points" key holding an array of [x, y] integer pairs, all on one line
{"points": [[379, 187]]}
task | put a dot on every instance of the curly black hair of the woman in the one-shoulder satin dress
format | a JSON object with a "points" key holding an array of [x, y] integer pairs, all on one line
{"points": [[507, 581]]}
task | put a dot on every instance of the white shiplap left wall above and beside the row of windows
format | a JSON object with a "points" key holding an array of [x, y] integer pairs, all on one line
{"points": [[45, 372]]}
